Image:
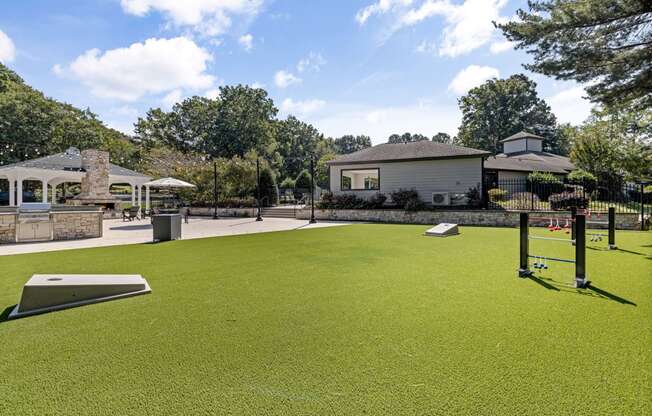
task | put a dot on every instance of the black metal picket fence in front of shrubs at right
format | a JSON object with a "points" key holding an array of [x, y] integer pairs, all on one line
{"points": [[525, 194]]}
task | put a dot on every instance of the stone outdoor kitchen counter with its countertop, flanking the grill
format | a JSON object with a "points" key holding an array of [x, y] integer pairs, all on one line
{"points": [[67, 222]]}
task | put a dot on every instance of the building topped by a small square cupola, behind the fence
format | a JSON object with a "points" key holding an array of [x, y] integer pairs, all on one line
{"points": [[523, 154]]}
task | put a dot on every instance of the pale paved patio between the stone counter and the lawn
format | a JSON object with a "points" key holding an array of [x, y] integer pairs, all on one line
{"points": [[117, 232]]}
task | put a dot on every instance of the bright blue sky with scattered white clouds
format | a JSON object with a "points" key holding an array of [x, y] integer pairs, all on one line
{"points": [[372, 67]]}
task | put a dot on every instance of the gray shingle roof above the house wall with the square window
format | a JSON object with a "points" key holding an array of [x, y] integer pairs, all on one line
{"points": [[422, 150]]}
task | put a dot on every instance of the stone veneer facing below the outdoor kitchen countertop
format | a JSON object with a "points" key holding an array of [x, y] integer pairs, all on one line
{"points": [[67, 225]]}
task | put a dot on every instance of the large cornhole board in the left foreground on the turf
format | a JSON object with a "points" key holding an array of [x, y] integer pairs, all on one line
{"points": [[51, 292]]}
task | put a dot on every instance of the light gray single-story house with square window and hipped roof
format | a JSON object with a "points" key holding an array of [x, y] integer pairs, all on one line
{"points": [[440, 173]]}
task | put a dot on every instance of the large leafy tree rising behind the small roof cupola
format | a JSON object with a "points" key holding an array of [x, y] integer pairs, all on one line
{"points": [[501, 107]]}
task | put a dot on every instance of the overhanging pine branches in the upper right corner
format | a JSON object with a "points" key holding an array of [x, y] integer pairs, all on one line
{"points": [[605, 43]]}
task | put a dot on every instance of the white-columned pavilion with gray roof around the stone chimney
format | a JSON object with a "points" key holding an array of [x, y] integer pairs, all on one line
{"points": [[64, 168]]}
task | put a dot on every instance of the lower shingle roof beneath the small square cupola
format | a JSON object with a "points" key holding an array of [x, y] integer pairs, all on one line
{"points": [[530, 162]]}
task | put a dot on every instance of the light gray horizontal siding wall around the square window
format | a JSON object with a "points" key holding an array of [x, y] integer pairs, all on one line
{"points": [[426, 176]]}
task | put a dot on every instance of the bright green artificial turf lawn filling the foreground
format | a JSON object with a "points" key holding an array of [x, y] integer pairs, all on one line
{"points": [[353, 320]]}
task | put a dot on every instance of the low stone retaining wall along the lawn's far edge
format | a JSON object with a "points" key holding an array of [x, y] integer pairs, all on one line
{"points": [[464, 217]]}
